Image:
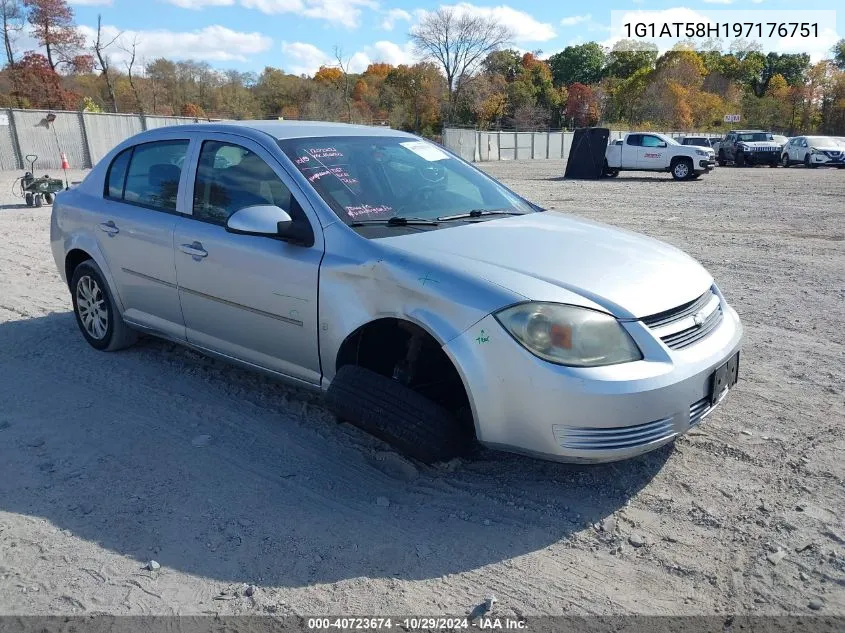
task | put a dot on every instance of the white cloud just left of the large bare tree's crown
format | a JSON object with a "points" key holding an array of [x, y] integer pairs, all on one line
{"points": [[305, 59]]}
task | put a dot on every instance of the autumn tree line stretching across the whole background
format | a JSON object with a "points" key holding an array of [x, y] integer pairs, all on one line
{"points": [[469, 75]]}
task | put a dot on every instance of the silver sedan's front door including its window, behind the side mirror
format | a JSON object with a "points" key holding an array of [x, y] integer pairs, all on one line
{"points": [[253, 298]]}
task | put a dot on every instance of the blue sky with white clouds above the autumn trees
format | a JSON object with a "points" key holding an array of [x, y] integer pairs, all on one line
{"points": [[300, 35]]}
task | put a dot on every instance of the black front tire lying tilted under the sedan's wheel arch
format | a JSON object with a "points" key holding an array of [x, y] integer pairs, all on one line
{"points": [[403, 418]]}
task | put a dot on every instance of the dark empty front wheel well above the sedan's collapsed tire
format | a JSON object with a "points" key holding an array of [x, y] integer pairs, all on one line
{"points": [[406, 352]]}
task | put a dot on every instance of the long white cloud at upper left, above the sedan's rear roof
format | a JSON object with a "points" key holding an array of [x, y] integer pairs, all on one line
{"points": [[212, 43]]}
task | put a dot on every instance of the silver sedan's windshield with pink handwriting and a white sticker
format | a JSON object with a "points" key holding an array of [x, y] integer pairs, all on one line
{"points": [[375, 178]]}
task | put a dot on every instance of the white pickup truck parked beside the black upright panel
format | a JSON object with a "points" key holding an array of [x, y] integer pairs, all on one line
{"points": [[641, 151]]}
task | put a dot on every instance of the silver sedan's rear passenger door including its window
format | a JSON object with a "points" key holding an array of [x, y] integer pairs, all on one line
{"points": [[140, 201]]}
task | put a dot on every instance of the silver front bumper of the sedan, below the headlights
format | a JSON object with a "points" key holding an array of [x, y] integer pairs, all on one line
{"points": [[525, 405]]}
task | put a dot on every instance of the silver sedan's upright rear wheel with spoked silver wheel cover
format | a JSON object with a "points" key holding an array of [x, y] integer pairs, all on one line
{"points": [[87, 285]]}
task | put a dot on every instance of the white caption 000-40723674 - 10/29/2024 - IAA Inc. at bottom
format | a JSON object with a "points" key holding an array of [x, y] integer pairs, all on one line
{"points": [[415, 624]]}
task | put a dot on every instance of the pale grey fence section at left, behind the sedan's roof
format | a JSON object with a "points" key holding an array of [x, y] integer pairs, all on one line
{"points": [[84, 137]]}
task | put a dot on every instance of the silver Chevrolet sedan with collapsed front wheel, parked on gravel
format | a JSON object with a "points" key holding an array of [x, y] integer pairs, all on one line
{"points": [[434, 307]]}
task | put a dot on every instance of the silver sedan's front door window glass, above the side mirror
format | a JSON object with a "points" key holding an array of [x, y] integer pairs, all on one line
{"points": [[231, 177]]}
